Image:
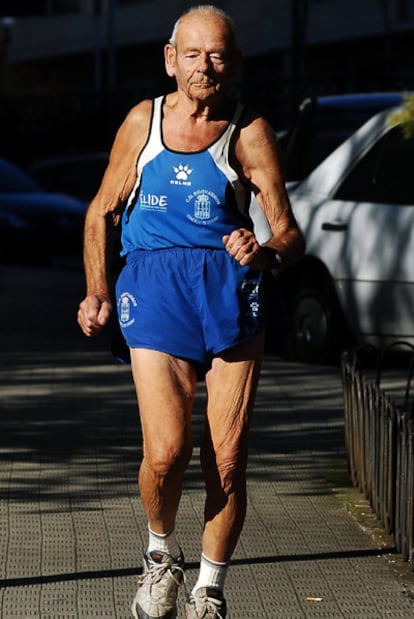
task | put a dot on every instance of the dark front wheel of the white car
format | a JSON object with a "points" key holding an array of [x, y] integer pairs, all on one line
{"points": [[311, 336]]}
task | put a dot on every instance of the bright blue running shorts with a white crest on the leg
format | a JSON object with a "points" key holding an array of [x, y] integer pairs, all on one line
{"points": [[189, 302]]}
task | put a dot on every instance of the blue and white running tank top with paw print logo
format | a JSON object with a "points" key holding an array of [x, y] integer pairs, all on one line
{"points": [[184, 199]]}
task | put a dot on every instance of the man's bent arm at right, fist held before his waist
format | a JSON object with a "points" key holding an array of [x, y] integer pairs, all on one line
{"points": [[257, 160]]}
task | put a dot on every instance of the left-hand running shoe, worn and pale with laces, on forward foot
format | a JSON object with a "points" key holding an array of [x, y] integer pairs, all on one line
{"points": [[156, 597]]}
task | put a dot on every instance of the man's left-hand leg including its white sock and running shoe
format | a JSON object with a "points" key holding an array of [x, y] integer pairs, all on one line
{"points": [[165, 390]]}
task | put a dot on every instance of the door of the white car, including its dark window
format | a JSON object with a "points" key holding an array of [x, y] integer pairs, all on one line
{"points": [[369, 224]]}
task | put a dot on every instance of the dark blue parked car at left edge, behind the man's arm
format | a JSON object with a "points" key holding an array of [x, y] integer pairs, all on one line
{"points": [[36, 226]]}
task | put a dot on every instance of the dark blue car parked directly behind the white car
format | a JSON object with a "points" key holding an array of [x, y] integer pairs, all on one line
{"points": [[323, 123]]}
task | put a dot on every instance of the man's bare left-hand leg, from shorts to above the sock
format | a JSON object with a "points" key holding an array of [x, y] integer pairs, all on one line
{"points": [[165, 389]]}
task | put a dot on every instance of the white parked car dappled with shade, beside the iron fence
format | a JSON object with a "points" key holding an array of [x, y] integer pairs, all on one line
{"points": [[356, 210]]}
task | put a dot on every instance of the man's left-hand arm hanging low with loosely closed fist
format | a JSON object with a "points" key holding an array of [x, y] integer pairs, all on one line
{"points": [[104, 212]]}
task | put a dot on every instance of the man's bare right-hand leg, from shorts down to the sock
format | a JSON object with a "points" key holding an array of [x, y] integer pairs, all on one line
{"points": [[231, 386]]}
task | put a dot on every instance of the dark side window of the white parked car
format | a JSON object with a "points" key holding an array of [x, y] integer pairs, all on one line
{"points": [[384, 174]]}
